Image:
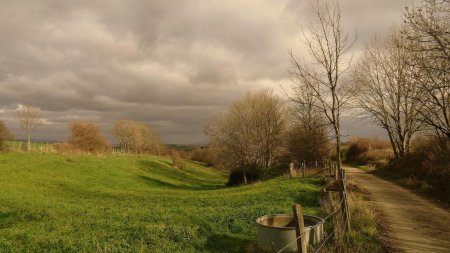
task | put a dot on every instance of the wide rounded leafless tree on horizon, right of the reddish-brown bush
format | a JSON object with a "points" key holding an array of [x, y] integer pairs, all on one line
{"points": [[136, 137]]}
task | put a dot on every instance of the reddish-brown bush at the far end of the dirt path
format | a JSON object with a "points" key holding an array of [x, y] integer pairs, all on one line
{"points": [[368, 151]]}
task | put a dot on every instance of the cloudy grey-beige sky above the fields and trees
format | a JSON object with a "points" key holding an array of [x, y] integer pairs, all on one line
{"points": [[171, 64]]}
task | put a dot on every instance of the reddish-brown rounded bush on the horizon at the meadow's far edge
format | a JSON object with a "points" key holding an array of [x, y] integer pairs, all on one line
{"points": [[87, 137]]}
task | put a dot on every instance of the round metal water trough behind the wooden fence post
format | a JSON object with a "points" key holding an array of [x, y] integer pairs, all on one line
{"points": [[276, 231]]}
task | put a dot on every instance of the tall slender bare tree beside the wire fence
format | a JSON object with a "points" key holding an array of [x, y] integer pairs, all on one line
{"points": [[328, 45]]}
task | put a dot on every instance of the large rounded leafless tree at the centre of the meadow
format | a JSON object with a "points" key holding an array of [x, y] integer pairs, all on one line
{"points": [[250, 133]]}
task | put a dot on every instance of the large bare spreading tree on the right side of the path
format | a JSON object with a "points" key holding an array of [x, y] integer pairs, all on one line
{"points": [[388, 90]]}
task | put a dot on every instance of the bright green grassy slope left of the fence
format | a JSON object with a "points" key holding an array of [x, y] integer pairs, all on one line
{"points": [[138, 203]]}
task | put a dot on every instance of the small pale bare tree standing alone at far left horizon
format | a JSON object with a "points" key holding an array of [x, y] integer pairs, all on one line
{"points": [[29, 118]]}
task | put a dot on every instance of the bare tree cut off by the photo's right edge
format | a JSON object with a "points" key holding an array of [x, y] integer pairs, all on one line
{"points": [[427, 27]]}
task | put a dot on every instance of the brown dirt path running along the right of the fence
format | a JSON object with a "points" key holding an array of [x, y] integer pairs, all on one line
{"points": [[414, 223]]}
